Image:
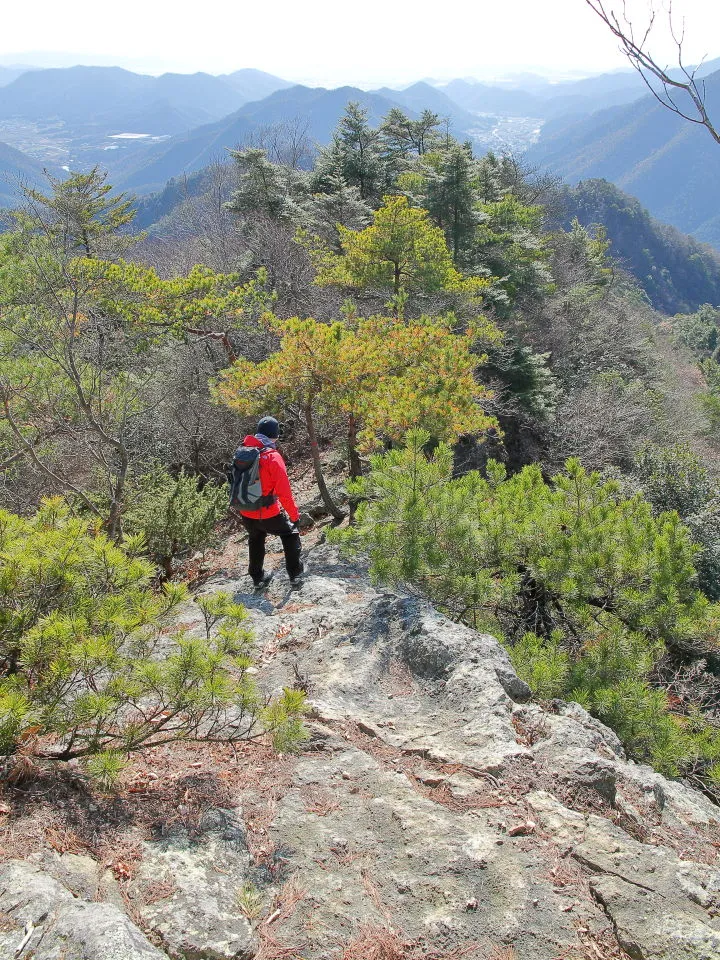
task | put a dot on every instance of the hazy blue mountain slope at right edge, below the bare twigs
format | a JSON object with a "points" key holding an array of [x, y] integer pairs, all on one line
{"points": [[671, 166]]}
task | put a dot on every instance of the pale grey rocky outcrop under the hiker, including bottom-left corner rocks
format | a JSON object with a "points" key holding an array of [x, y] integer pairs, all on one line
{"points": [[434, 804]]}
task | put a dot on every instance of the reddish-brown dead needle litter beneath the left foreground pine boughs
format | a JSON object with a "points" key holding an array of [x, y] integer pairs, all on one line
{"points": [[170, 787]]}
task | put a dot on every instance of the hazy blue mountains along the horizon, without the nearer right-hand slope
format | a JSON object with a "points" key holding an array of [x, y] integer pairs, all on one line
{"points": [[144, 128]]}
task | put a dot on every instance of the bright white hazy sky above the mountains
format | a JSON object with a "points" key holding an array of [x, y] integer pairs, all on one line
{"points": [[328, 41]]}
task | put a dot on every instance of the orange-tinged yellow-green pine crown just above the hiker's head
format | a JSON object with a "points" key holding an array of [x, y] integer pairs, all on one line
{"points": [[386, 374]]}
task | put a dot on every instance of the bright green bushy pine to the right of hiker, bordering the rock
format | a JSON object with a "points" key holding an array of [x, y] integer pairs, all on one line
{"points": [[588, 587]]}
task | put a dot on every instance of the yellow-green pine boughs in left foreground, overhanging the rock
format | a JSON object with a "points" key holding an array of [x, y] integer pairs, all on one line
{"points": [[90, 666]]}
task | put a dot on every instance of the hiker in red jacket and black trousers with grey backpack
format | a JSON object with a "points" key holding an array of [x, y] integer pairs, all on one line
{"points": [[260, 491]]}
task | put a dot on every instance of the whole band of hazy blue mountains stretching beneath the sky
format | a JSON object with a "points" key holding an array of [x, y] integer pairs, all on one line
{"points": [[147, 130]]}
